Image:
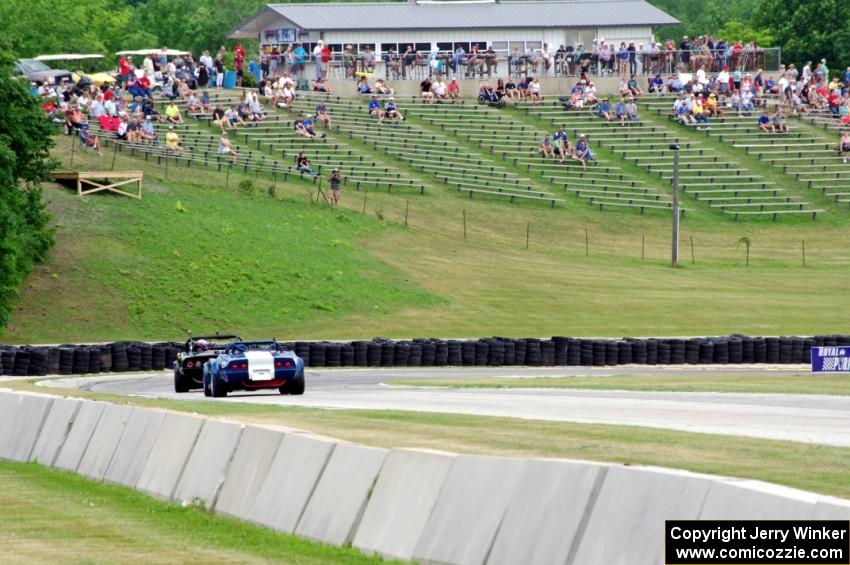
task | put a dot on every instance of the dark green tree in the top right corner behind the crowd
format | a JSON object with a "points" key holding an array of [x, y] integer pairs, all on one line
{"points": [[809, 30]]}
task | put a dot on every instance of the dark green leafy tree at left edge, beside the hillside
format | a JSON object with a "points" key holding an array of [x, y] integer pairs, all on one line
{"points": [[24, 160]]}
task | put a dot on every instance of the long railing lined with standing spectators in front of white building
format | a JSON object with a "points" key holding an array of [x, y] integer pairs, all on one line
{"points": [[418, 65]]}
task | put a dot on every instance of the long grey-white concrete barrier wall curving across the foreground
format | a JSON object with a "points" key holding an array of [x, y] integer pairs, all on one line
{"points": [[430, 506]]}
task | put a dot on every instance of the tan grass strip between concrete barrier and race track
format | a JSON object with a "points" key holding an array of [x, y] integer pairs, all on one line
{"points": [[817, 468]]}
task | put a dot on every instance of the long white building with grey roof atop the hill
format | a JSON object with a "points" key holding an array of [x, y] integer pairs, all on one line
{"points": [[504, 26]]}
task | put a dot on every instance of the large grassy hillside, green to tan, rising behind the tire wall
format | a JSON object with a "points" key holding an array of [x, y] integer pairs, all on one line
{"points": [[199, 254]]}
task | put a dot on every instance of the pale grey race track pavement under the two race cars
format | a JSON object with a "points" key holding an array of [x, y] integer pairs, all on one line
{"points": [[802, 418]]}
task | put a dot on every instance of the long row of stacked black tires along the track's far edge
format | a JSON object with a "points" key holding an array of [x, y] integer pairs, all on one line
{"points": [[432, 352]]}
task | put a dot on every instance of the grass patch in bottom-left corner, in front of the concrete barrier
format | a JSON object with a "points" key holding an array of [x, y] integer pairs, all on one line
{"points": [[51, 516]]}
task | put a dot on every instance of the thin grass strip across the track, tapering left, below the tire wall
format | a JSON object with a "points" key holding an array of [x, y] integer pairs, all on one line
{"points": [[779, 384]]}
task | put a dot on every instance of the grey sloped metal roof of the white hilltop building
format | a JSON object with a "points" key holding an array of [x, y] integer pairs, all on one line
{"points": [[455, 15]]}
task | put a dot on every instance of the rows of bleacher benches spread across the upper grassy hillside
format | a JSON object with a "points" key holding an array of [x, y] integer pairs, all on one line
{"points": [[479, 150]]}
